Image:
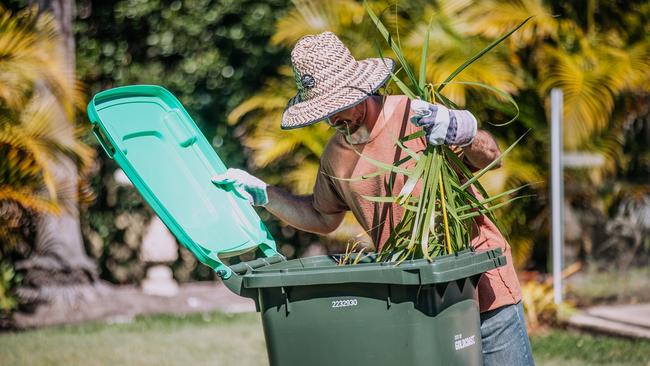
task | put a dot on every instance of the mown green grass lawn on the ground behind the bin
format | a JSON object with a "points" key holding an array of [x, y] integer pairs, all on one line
{"points": [[220, 339]]}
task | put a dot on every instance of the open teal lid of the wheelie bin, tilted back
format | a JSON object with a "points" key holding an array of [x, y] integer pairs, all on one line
{"points": [[157, 144]]}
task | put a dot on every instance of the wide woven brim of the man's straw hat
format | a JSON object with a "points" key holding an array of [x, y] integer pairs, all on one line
{"points": [[371, 75]]}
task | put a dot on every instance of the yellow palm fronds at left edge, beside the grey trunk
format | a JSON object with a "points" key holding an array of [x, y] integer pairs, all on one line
{"points": [[39, 98]]}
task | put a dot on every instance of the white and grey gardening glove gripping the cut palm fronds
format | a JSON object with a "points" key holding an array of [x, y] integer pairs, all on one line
{"points": [[443, 125]]}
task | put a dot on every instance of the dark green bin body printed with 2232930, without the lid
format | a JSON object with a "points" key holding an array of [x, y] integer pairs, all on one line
{"points": [[374, 324]]}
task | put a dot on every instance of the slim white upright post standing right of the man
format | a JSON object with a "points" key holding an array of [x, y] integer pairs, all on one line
{"points": [[557, 192]]}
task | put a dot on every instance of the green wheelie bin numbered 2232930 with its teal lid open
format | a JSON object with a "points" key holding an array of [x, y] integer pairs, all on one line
{"points": [[314, 312]]}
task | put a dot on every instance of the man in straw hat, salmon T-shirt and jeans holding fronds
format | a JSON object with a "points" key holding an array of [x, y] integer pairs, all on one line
{"points": [[333, 86]]}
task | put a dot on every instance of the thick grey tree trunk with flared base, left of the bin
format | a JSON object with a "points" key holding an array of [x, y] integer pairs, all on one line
{"points": [[59, 268]]}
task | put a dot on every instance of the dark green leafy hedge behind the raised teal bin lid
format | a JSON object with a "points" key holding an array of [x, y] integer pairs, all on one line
{"points": [[210, 54]]}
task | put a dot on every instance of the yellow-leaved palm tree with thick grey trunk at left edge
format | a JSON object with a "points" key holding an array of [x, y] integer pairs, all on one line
{"points": [[42, 151]]}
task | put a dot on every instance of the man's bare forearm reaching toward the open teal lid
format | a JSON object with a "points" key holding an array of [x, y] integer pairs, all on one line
{"points": [[299, 212]]}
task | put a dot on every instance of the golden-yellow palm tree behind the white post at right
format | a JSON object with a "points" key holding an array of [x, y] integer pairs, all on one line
{"points": [[597, 68]]}
